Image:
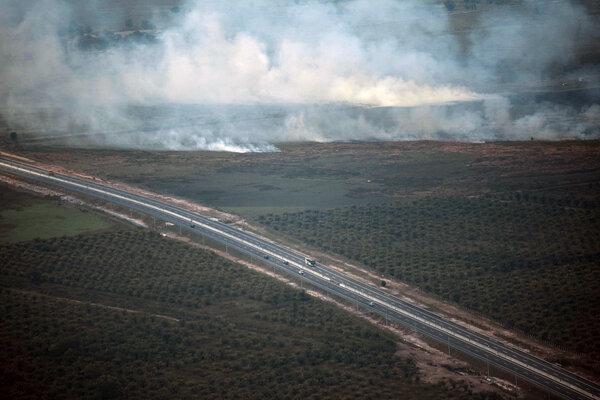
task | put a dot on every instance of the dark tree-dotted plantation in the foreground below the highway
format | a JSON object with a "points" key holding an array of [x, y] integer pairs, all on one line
{"points": [[160, 319]]}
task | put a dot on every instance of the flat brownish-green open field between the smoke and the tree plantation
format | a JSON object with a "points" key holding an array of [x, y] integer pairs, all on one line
{"points": [[317, 176]]}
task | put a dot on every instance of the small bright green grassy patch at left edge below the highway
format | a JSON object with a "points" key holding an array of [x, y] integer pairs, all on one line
{"points": [[25, 217]]}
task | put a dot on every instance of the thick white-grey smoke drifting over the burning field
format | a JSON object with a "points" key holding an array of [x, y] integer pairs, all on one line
{"points": [[244, 77]]}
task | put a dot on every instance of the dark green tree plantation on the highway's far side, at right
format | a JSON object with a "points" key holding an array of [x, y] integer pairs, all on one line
{"points": [[526, 259]]}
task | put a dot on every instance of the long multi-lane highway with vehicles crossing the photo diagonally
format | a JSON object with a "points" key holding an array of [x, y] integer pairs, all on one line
{"points": [[522, 365]]}
